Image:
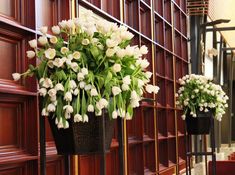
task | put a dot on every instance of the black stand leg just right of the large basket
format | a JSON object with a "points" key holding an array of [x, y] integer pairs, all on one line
{"points": [[121, 147]]}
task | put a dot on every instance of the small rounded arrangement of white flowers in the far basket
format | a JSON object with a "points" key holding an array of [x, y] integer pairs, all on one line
{"points": [[198, 93]]}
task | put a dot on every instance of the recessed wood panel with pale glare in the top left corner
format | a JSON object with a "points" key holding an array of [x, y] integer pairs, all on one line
{"points": [[9, 8]]}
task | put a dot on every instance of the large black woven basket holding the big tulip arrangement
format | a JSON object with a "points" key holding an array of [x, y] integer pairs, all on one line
{"points": [[82, 138]]}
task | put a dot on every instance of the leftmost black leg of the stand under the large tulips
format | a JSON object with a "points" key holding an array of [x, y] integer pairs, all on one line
{"points": [[42, 145]]}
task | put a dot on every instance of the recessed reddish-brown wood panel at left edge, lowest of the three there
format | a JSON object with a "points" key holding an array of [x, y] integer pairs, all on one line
{"points": [[9, 117]]}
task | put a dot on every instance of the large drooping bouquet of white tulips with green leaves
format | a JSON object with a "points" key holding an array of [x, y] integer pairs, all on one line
{"points": [[88, 65]]}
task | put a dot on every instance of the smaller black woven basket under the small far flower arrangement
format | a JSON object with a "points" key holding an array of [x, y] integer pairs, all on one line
{"points": [[200, 124]]}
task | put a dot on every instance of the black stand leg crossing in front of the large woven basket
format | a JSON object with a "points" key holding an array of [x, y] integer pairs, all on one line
{"points": [[103, 155]]}
